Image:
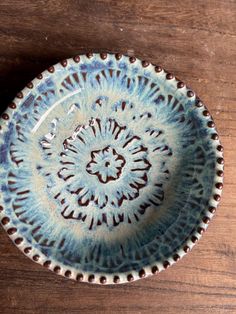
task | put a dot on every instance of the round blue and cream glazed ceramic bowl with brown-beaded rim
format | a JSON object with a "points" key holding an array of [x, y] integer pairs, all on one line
{"points": [[111, 169]]}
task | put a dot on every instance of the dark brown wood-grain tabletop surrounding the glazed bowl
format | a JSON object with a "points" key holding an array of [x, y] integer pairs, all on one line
{"points": [[196, 40]]}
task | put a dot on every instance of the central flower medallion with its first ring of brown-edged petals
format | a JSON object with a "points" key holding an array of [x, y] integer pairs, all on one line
{"points": [[107, 166]]}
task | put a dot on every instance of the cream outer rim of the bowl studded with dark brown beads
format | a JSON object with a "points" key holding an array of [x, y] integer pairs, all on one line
{"points": [[114, 278]]}
